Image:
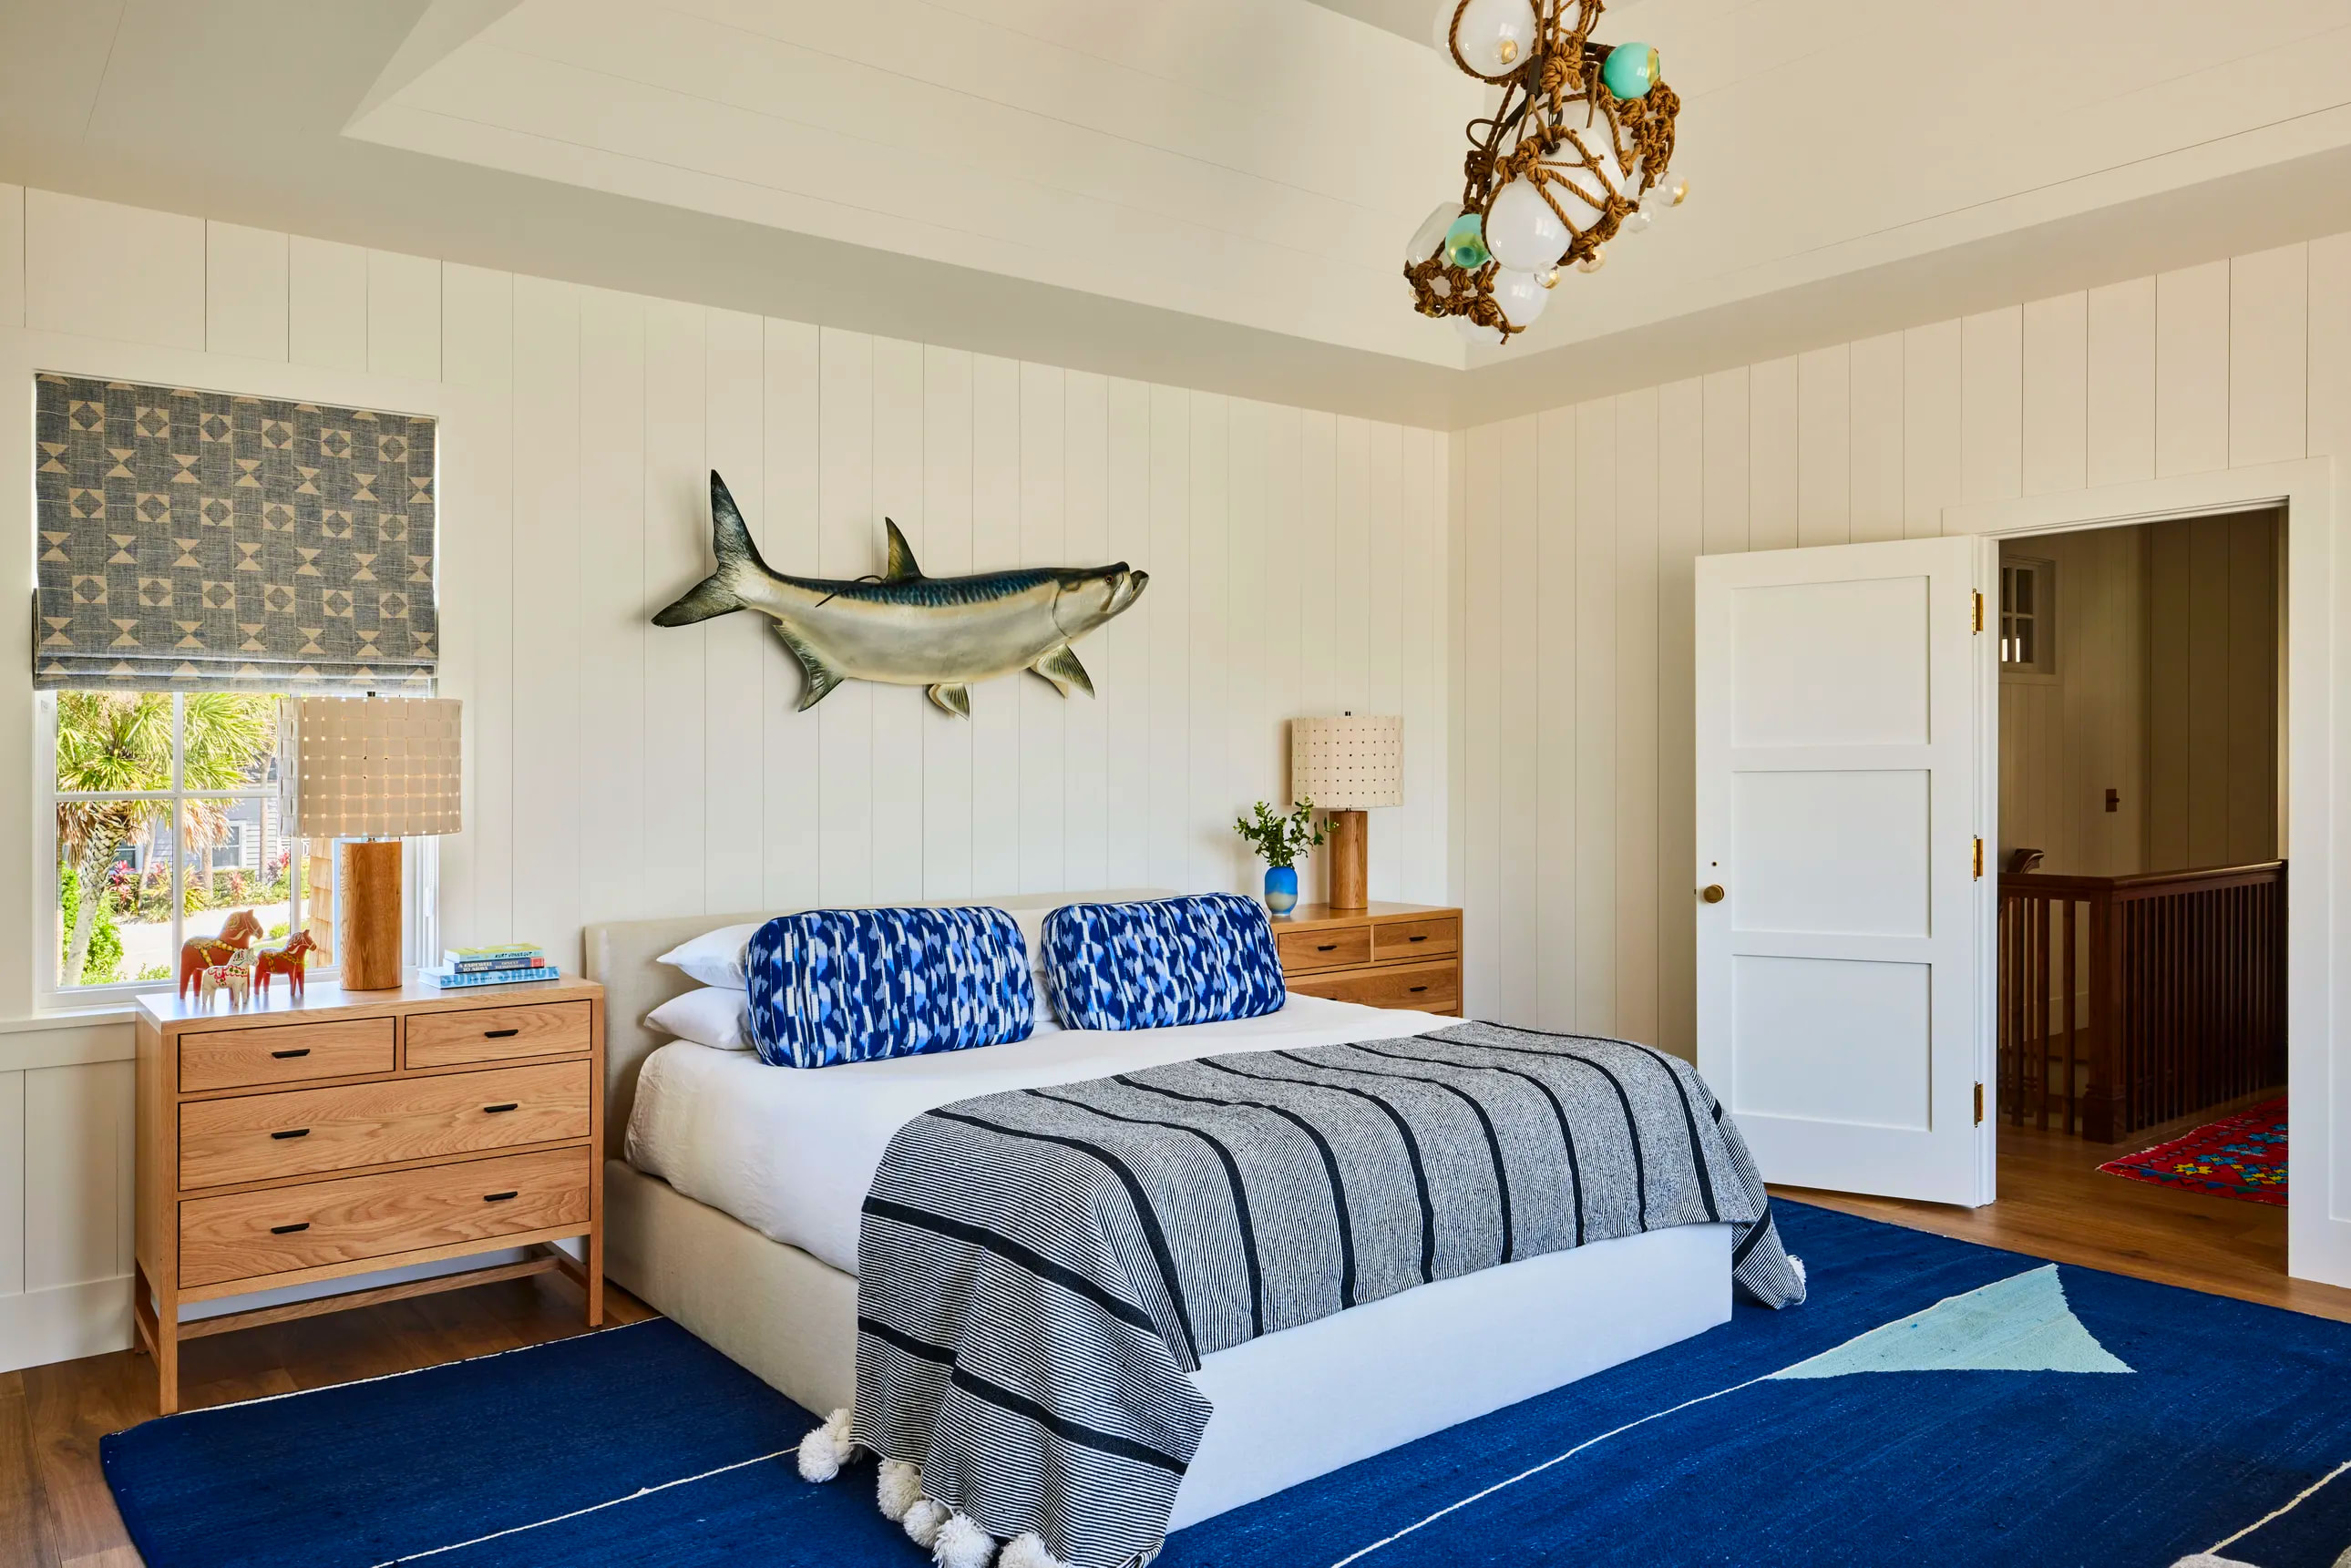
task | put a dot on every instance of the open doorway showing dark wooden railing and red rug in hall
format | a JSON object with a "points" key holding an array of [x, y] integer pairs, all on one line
{"points": [[2143, 880]]}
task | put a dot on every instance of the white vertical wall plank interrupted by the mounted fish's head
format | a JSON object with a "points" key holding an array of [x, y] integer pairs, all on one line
{"points": [[1087, 544]]}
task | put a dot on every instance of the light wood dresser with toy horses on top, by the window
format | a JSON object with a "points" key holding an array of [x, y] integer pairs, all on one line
{"points": [[356, 1132]]}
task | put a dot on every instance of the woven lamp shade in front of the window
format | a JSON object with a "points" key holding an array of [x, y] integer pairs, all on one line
{"points": [[382, 768]]}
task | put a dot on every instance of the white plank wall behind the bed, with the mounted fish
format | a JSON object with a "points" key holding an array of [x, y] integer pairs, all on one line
{"points": [[617, 770]]}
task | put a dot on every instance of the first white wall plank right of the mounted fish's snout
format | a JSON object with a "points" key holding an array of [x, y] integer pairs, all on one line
{"points": [[1170, 664]]}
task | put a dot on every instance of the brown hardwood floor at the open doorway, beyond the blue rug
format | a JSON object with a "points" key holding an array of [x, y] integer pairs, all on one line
{"points": [[2058, 1205]]}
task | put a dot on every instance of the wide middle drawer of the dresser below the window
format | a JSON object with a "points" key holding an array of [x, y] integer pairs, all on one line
{"points": [[302, 1132]]}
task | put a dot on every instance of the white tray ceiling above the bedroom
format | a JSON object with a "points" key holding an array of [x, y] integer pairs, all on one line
{"points": [[1205, 192]]}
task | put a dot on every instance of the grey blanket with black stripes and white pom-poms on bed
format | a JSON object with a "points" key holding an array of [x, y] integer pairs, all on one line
{"points": [[1040, 1271]]}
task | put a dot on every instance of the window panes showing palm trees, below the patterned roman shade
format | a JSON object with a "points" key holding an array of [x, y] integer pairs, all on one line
{"points": [[168, 829]]}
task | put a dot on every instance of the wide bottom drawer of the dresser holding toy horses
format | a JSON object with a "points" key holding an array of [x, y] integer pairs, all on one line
{"points": [[246, 1235]]}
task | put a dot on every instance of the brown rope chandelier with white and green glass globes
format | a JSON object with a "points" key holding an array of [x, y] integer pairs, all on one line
{"points": [[1572, 156]]}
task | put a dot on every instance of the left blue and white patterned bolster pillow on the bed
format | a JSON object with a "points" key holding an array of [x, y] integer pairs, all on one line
{"points": [[864, 986]]}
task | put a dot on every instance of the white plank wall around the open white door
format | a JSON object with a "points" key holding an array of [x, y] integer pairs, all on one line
{"points": [[1579, 530]]}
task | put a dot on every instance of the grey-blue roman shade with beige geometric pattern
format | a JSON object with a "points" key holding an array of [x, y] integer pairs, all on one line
{"points": [[229, 542]]}
